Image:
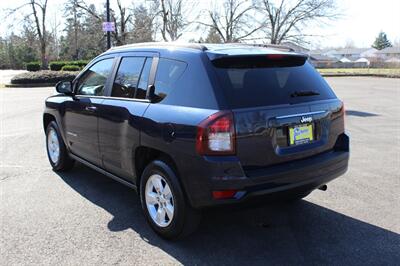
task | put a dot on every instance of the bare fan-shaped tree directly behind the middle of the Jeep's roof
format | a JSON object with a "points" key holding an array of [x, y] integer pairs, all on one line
{"points": [[235, 22]]}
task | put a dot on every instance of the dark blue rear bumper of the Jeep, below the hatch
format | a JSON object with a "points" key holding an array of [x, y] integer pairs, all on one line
{"points": [[279, 180]]}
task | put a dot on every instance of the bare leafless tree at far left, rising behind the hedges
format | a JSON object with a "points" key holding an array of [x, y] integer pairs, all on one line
{"points": [[37, 10]]}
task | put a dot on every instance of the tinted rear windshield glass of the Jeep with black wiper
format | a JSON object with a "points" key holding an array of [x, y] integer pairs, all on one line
{"points": [[255, 85]]}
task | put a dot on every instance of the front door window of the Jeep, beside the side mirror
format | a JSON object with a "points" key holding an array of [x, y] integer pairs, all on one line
{"points": [[94, 79]]}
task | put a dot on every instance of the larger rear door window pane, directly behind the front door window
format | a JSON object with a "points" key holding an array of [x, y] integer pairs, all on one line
{"points": [[127, 78]]}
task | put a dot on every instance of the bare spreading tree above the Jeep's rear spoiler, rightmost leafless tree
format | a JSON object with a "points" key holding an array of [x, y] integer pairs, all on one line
{"points": [[286, 20]]}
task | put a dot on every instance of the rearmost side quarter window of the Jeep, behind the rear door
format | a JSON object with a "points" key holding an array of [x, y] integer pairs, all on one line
{"points": [[168, 72]]}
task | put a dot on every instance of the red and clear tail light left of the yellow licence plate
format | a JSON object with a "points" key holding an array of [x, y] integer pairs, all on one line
{"points": [[216, 135]]}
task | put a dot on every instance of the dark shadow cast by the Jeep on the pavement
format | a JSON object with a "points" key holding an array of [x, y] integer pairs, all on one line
{"points": [[299, 233]]}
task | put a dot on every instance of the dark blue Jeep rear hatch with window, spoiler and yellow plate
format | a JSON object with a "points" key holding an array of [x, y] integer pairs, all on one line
{"points": [[283, 109]]}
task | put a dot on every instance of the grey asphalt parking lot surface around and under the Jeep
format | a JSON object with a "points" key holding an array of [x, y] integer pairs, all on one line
{"points": [[83, 218]]}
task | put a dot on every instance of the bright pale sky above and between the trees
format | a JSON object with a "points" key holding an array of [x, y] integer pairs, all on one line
{"points": [[361, 21]]}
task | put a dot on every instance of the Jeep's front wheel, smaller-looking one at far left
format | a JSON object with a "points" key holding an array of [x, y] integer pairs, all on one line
{"points": [[56, 151]]}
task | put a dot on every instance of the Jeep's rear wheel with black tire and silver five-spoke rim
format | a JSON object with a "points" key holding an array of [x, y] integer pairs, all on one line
{"points": [[183, 220]]}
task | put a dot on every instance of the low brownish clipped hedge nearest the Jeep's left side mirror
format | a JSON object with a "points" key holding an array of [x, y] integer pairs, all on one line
{"points": [[44, 76]]}
